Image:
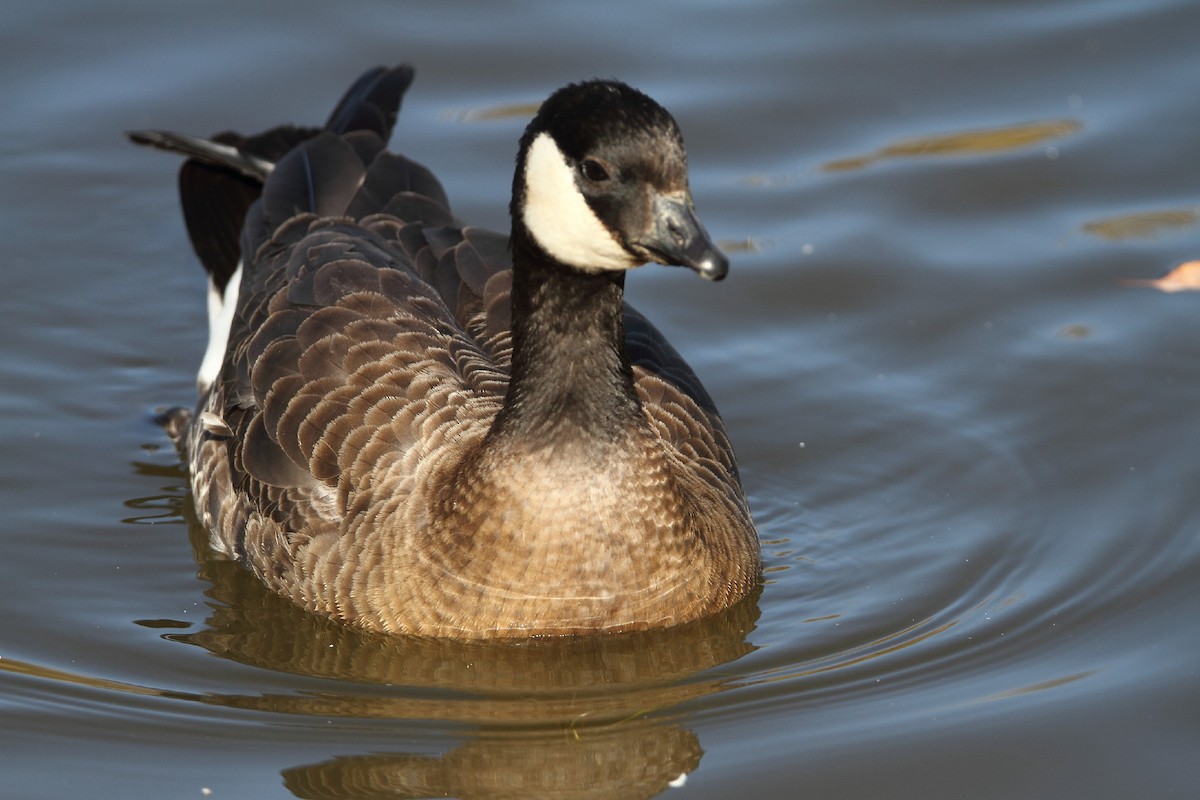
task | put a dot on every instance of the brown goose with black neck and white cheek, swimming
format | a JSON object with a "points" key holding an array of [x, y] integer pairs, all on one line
{"points": [[422, 428]]}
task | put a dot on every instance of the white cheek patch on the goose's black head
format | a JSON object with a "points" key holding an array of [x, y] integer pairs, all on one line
{"points": [[559, 218]]}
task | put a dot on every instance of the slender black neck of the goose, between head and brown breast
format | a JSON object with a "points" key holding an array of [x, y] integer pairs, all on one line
{"points": [[572, 377]]}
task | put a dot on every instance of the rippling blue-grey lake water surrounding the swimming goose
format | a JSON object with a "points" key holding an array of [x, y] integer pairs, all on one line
{"points": [[974, 454]]}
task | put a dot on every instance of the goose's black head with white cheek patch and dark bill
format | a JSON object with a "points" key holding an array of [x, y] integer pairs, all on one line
{"points": [[602, 184]]}
